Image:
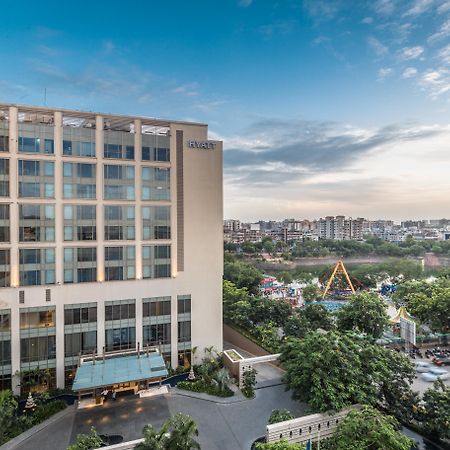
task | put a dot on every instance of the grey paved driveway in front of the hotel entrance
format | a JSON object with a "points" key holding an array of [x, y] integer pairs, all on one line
{"points": [[222, 426]]}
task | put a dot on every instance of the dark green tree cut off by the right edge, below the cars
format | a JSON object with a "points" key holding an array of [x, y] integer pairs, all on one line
{"points": [[436, 410]]}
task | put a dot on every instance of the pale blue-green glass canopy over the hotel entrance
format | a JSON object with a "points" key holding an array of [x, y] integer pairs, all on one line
{"points": [[114, 369]]}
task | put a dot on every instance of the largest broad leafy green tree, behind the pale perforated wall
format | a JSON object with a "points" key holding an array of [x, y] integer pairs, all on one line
{"points": [[331, 371]]}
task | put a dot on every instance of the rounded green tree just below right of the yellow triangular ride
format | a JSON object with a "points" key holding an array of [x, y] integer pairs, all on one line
{"points": [[365, 313]]}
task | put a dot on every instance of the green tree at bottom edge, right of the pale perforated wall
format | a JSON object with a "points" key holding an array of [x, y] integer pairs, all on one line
{"points": [[367, 429]]}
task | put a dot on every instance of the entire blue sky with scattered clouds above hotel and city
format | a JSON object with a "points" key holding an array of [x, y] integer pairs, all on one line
{"points": [[325, 107]]}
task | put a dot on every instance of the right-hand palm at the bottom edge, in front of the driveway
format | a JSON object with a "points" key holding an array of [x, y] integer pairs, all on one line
{"points": [[181, 433]]}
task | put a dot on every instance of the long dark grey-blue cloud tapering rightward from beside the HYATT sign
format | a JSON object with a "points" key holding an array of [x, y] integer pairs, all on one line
{"points": [[279, 151]]}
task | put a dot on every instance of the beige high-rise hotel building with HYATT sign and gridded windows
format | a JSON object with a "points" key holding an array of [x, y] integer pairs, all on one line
{"points": [[110, 238]]}
